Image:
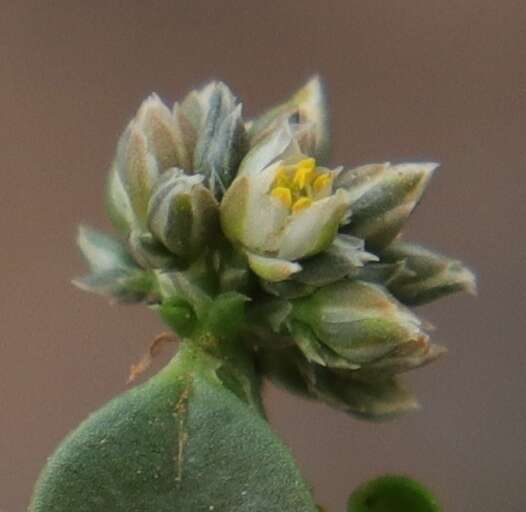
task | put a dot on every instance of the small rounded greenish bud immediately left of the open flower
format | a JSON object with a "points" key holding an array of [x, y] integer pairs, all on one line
{"points": [[182, 213]]}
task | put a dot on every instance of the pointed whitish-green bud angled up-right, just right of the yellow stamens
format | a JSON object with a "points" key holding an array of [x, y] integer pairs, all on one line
{"points": [[382, 197]]}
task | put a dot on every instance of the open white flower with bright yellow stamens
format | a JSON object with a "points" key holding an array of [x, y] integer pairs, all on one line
{"points": [[282, 207]]}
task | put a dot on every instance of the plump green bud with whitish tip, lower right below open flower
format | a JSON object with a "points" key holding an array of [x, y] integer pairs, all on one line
{"points": [[351, 324]]}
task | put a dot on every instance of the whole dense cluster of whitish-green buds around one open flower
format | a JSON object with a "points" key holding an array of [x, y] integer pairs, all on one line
{"points": [[242, 228]]}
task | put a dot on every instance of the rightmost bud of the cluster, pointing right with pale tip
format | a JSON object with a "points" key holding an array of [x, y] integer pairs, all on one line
{"points": [[429, 275]]}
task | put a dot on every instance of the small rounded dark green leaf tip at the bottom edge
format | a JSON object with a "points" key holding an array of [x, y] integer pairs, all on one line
{"points": [[392, 493]]}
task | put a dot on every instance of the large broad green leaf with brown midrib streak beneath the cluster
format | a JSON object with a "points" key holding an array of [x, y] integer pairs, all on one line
{"points": [[184, 441]]}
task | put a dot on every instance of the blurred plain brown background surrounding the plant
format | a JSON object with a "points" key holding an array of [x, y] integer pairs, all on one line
{"points": [[440, 80]]}
